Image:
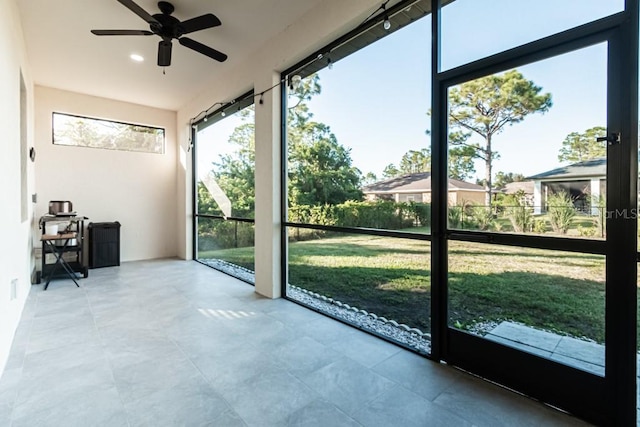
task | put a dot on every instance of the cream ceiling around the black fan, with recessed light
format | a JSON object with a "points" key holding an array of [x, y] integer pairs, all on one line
{"points": [[64, 54]]}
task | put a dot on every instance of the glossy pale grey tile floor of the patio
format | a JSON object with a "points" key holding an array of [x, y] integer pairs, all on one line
{"points": [[175, 343]]}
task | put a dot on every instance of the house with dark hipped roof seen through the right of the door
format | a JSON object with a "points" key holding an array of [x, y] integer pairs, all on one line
{"points": [[584, 181]]}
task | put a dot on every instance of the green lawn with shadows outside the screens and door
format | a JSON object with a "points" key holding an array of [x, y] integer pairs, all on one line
{"points": [[390, 277]]}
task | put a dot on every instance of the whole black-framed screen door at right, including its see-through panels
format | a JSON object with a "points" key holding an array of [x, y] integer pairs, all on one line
{"points": [[535, 234]]}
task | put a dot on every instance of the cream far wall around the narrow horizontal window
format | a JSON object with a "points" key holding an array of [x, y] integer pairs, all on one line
{"points": [[136, 189]]}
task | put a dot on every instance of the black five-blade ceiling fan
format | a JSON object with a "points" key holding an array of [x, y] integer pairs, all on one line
{"points": [[169, 28]]}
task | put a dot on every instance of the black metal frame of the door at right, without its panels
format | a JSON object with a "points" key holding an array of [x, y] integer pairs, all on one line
{"points": [[603, 400]]}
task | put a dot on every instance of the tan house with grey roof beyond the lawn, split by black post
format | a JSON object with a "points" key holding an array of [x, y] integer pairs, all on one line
{"points": [[416, 187]]}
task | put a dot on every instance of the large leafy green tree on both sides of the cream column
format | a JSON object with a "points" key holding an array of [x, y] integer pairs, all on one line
{"points": [[320, 169]]}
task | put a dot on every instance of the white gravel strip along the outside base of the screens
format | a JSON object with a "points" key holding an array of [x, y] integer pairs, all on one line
{"points": [[398, 332]]}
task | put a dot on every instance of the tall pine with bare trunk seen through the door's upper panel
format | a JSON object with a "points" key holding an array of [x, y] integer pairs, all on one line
{"points": [[485, 106]]}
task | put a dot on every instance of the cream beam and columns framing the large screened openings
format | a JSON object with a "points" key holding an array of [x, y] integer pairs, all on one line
{"points": [[313, 30]]}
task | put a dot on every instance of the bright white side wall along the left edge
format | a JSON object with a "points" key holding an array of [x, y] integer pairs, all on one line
{"points": [[15, 252]]}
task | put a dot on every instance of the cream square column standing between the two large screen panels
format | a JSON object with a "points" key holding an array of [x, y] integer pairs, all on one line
{"points": [[268, 167]]}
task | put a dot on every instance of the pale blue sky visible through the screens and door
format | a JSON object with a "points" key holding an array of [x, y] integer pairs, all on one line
{"points": [[376, 100]]}
